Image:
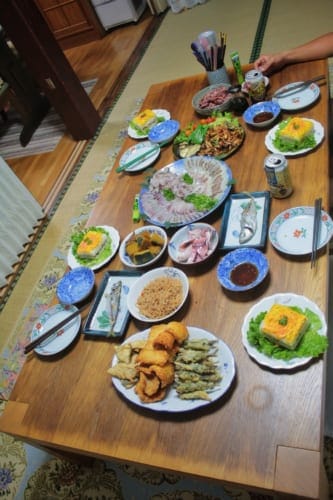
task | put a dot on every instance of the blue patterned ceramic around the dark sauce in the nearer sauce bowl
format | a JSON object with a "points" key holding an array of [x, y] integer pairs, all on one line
{"points": [[237, 257]]}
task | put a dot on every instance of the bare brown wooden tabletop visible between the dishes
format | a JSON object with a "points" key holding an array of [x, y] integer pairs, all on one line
{"points": [[266, 432]]}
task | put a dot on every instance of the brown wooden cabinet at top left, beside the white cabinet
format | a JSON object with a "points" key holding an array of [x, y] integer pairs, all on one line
{"points": [[72, 22]]}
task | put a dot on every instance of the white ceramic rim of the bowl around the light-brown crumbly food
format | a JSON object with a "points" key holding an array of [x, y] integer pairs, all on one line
{"points": [[147, 278]]}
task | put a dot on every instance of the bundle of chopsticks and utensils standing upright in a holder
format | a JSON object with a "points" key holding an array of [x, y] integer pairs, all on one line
{"points": [[209, 51]]}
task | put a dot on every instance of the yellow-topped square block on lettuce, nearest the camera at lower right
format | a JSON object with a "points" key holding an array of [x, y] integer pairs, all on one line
{"points": [[284, 326]]}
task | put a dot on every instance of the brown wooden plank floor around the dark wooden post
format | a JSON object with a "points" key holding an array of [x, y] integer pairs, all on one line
{"points": [[110, 60]]}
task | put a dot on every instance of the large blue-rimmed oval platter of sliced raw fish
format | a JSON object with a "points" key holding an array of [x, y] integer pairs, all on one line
{"points": [[198, 175]]}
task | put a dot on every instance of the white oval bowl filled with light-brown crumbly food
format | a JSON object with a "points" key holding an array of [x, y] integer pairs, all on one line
{"points": [[158, 294]]}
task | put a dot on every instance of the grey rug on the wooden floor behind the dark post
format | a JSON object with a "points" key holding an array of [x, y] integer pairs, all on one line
{"points": [[45, 137]]}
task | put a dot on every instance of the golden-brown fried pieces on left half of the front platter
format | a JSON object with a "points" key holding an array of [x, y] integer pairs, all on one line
{"points": [[154, 363]]}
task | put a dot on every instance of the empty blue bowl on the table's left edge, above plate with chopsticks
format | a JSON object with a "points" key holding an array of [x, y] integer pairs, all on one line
{"points": [[76, 285]]}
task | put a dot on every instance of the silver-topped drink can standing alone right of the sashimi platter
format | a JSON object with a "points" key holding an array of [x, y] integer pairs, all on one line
{"points": [[278, 175]]}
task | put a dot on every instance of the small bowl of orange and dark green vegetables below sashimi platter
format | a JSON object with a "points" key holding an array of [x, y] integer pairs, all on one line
{"points": [[150, 256]]}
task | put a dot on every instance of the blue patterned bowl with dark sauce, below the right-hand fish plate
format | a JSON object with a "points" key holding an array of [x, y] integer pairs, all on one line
{"points": [[242, 269]]}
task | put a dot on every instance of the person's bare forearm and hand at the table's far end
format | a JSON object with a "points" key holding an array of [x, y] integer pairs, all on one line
{"points": [[319, 48]]}
